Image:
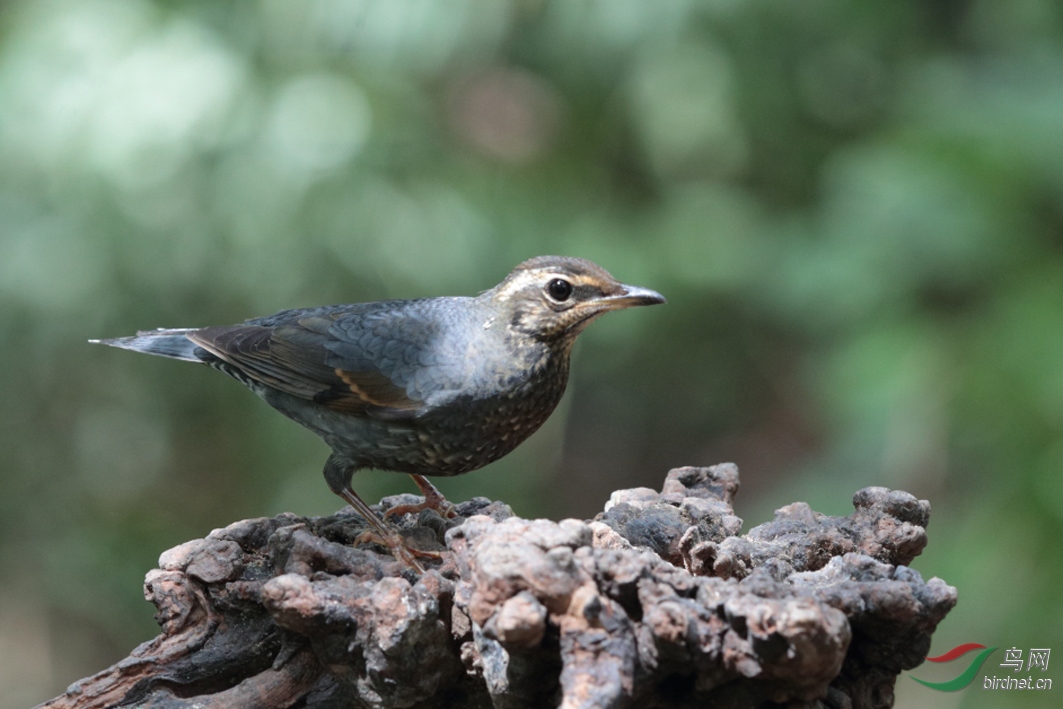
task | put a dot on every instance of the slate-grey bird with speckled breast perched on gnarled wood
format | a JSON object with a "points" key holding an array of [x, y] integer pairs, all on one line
{"points": [[429, 387]]}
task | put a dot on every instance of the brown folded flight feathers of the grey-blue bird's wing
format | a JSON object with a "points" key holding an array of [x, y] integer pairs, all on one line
{"points": [[292, 359]]}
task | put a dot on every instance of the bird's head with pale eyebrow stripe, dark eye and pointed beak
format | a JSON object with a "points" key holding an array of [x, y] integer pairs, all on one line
{"points": [[554, 298]]}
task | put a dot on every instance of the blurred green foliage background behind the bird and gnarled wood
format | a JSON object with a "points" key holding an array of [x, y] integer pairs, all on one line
{"points": [[855, 210]]}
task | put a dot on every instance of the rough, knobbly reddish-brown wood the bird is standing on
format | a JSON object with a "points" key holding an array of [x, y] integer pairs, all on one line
{"points": [[656, 603]]}
